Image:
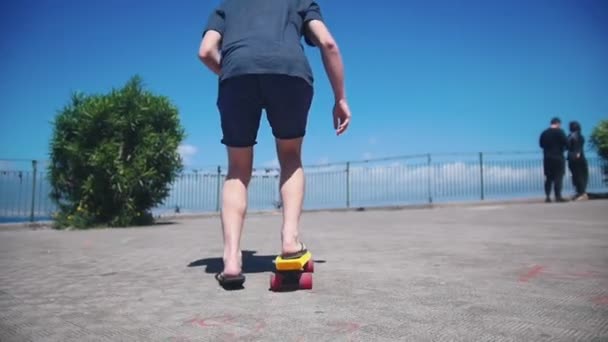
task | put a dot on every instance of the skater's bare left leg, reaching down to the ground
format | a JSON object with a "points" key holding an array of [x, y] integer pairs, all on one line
{"points": [[234, 206]]}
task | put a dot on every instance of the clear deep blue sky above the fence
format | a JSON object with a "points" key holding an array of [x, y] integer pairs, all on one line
{"points": [[422, 76]]}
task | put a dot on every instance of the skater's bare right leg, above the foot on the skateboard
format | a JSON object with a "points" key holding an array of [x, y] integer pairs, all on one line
{"points": [[292, 191]]}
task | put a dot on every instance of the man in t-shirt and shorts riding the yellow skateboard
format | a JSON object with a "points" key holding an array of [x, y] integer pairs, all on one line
{"points": [[255, 48]]}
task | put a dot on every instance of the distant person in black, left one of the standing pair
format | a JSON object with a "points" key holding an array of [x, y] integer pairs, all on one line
{"points": [[554, 143]]}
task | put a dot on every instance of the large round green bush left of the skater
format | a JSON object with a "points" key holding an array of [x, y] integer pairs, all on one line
{"points": [[113, 157]]}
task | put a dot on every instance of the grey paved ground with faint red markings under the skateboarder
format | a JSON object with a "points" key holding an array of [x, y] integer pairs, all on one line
{"points": [[527, 272]]}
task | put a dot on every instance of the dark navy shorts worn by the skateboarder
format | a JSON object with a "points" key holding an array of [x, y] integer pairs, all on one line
{"points": [[241, 99]]}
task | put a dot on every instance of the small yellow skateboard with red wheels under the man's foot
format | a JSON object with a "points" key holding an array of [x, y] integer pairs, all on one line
{"points": [[292, 273]]}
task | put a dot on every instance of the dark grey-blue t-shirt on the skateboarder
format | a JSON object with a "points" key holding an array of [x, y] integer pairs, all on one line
{"points": [[264, 36]]}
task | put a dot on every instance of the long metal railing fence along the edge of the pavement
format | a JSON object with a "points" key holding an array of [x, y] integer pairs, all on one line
{"points": [[24, 187]]}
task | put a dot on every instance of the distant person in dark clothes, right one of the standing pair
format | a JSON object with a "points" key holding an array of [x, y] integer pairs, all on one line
{"points": [[577, 163]]}
